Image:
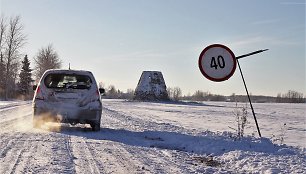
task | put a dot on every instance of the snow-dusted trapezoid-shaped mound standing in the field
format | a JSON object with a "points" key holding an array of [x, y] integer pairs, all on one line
{"points": [[151, 87]]}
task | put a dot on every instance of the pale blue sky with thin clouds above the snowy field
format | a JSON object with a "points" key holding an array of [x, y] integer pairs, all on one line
{"points": [[118, 39]]}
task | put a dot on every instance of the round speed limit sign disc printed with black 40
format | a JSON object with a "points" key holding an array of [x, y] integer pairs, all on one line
{"points": [[217, 62]]}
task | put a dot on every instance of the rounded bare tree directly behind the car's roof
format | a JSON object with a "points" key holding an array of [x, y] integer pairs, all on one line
{"points": [[46, 58]]}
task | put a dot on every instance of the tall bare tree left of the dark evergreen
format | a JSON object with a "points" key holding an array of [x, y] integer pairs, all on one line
{"points": [[14, 40]]}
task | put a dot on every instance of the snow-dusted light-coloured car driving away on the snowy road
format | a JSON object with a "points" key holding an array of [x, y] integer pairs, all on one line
{"points": [[67, 96]]}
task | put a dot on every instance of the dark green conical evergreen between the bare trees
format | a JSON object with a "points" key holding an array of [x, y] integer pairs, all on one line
{"points": [[25, 77]]}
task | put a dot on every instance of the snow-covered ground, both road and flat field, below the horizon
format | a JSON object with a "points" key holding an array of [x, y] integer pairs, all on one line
{"points": [[143, 137]]}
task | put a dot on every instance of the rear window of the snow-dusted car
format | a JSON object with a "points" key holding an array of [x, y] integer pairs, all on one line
{"points": [[68, 81]]}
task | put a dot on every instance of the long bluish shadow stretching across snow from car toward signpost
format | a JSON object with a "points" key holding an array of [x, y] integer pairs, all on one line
{"points": [[208, 143]]}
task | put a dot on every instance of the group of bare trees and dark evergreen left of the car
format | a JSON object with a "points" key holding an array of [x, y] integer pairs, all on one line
{"points": [[16, 76]]}
